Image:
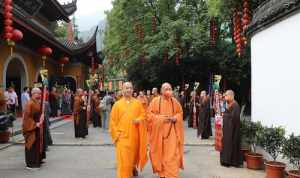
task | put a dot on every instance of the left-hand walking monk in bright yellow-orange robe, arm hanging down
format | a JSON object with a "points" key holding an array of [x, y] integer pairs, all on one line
{"points": [[128, 132]]}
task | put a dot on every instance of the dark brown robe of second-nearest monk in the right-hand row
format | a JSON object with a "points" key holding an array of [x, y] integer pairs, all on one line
{"points": [[204, 122]]}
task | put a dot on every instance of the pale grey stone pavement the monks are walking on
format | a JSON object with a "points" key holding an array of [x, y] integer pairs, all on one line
{"points": [[94, 157]]}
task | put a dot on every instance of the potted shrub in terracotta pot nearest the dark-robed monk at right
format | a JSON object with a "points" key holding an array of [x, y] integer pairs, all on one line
{"points": [[254, 160]]}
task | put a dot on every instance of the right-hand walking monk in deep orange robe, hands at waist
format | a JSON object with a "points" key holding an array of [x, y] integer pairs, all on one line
{"points": [[167, 134]]}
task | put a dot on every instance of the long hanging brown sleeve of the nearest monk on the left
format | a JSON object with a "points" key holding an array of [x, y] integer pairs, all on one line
{"points": [[28, 126]]}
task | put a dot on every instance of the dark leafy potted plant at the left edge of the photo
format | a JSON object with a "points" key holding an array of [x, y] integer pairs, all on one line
{"points": [[6, 121]]}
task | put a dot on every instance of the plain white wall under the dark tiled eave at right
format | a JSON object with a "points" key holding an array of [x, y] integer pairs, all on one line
{"points": [[276, 75]]}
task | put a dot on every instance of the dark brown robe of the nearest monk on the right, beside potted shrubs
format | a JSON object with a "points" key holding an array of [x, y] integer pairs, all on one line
{"points": [[230, 154]]}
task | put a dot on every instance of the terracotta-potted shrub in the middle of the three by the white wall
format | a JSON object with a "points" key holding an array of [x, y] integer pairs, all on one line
{"points": [[272, 141]]}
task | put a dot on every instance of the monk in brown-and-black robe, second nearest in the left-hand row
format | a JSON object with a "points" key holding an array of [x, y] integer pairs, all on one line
{"points": [[79, 112]]}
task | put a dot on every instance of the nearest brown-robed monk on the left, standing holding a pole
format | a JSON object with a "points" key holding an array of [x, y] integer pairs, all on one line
{"points": [[33, 131]]}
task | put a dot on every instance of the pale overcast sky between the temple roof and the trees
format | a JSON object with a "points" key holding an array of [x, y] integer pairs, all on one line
{"points": [[90, 12]]}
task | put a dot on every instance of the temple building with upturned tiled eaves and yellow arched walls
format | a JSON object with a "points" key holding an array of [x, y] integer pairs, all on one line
{"points": [[37, 20]]}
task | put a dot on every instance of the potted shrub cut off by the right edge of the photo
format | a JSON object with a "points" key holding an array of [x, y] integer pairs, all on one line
{"points": [[291, 150]]}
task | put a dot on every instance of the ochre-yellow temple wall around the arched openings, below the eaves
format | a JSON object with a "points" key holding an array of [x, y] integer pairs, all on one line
{"points": [[33, 63]]}
